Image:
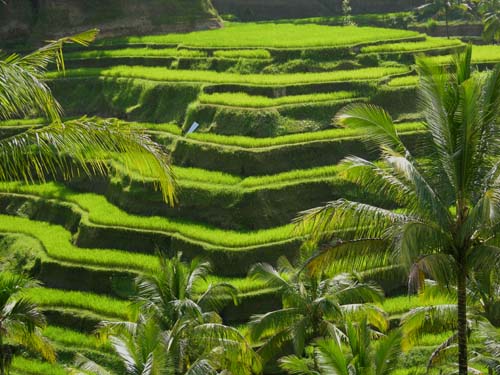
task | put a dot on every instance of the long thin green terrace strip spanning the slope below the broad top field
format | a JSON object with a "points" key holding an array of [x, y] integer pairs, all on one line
{"points": [[162, 74]]}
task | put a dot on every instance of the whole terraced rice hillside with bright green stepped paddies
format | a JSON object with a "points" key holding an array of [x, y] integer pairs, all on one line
{"points": [[264, 96]]}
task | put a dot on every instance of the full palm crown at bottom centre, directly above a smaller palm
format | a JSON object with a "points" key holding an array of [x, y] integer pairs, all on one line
{"points": [[311, 308]]}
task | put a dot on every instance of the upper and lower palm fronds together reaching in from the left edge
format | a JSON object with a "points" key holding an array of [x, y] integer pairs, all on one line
{"points": [[64, 150]]}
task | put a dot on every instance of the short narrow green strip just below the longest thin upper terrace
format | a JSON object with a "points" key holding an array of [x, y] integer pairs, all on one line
{"points": [[241, 99]]}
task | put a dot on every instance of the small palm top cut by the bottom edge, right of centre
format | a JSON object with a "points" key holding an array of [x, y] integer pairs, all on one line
{"points": [[362, 357]]}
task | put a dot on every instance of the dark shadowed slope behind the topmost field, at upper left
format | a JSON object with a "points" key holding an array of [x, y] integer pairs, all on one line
{"points": [[38, 19]]}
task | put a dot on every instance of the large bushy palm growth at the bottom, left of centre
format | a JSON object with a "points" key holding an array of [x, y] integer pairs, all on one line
{"points": [[178, 330]]}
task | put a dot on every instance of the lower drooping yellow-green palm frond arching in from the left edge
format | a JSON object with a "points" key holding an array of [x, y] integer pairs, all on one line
{"points": [[81, 147]]}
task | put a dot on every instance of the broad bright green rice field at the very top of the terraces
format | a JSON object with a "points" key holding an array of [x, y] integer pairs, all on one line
{"points": [[237, 35]]}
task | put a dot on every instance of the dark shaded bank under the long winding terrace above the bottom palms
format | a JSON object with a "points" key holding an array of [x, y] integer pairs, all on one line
{"points": [[226, 261]]}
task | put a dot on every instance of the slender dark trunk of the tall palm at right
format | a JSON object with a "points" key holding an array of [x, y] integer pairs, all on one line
{"points": [[462, 314]]}
